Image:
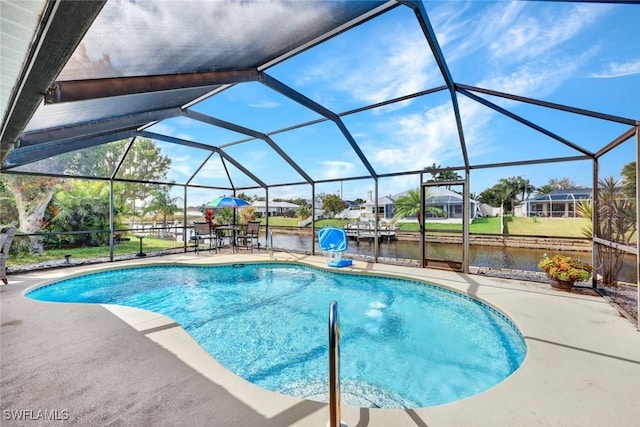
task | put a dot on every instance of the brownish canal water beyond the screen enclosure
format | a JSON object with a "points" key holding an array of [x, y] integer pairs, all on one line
{"points": [[479, 256]]}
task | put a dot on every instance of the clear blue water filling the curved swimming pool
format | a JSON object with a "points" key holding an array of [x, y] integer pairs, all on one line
{"points": [[405, 344]]}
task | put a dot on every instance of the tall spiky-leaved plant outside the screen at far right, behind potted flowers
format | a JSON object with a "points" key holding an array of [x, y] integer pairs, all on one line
{"points": [[616, 222]]}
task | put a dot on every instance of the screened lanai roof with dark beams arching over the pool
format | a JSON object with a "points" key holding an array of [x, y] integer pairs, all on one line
{"points": [[77, 75]]}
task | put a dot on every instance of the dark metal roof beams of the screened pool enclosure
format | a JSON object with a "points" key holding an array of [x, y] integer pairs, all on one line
{"points": [[64, 24]]}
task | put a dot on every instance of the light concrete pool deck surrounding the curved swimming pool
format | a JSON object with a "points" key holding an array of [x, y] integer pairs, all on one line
{"points": [[96, 365]]}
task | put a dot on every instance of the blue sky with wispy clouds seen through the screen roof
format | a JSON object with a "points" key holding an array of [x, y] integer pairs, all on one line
{"points": [[581, 55]]}
